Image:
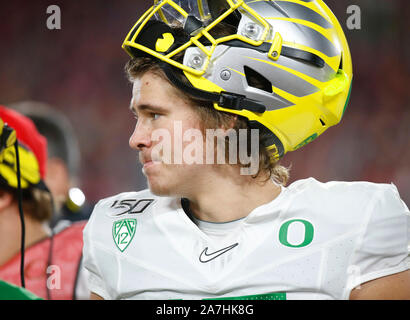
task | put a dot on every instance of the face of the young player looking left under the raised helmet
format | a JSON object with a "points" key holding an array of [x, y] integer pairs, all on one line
{"points": [[162, 120]]}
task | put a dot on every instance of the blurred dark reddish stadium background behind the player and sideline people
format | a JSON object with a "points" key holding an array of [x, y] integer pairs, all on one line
{"points": [[79, 71]]}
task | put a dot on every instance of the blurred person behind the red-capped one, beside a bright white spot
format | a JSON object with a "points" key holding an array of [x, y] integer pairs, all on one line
{"points": [[63, 163]]}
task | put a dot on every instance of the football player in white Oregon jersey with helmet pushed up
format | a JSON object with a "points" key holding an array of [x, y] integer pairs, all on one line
{"points": [[217, 72]]}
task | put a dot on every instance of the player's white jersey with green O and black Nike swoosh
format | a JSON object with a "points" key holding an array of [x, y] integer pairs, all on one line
{"points": [[314, 241]]}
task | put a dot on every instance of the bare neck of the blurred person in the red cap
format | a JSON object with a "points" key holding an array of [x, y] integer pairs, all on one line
{"points": [[10, 235]]}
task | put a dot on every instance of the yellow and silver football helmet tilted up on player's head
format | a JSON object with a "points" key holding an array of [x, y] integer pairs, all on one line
{"points": [[287, 67]]}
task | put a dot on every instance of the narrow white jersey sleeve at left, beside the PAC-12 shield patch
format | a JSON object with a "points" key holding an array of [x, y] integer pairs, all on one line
{"points": [[95, 280]]}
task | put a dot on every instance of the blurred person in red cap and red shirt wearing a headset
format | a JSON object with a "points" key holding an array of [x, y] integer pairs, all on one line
{"points": [[52, 264]]}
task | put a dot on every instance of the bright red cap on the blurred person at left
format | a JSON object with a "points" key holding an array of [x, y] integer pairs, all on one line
{"points": [[27, 135]]}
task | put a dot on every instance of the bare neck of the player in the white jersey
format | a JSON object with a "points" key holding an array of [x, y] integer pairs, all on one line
{"points": [[224, 198]]}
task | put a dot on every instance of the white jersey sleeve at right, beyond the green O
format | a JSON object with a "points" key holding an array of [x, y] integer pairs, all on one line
{"points": [[383, 247]]}
